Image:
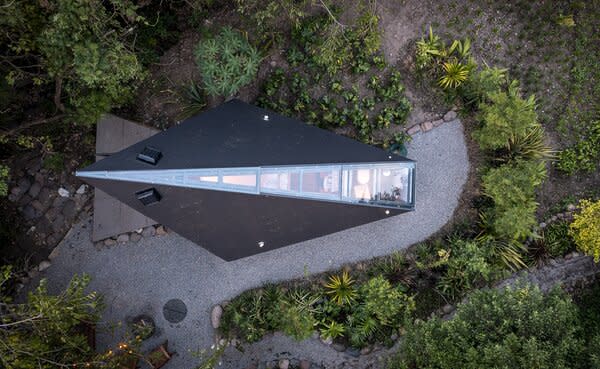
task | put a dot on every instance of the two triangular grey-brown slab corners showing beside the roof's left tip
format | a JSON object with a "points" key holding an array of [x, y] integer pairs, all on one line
{"points": [[112, 217]]}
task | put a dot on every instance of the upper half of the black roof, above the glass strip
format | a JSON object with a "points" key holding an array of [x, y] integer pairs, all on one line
{"points": [[235, 134]]}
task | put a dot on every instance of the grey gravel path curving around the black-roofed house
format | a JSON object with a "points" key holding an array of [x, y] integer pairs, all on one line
{"points": [[141, 277]]}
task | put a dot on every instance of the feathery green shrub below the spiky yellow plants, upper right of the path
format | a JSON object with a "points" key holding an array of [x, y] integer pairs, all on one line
{"points": [[506, 115]]}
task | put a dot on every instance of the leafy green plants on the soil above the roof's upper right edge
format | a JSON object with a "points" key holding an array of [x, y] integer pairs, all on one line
{"points": [[340, 81]]}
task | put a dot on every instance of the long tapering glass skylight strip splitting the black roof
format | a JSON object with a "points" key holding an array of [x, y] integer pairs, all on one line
{"points": [[373, 184]]}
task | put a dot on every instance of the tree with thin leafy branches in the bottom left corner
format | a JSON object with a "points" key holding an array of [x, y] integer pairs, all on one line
{"points": [[46, 331]]}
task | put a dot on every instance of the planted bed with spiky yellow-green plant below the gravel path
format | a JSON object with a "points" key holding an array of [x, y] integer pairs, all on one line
{"points": [[360, 313]]}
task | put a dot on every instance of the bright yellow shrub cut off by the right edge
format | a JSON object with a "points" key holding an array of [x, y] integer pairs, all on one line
{"points": [[585, 228]]}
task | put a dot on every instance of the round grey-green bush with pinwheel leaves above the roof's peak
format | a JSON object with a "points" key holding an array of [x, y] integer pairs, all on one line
{"points": [[227, 62]]}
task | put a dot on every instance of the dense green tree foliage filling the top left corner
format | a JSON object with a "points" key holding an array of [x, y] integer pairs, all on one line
{"points": [[78, 48]]}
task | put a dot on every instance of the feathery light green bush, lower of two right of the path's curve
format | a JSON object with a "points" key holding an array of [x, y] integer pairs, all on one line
{"points": [[512, 189]]}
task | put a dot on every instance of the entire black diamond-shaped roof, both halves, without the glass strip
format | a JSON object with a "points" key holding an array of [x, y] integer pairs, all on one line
{"points": [[235, 225]]}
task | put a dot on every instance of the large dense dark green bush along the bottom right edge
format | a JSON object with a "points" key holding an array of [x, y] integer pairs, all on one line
{"points": [[509, 328]]}
